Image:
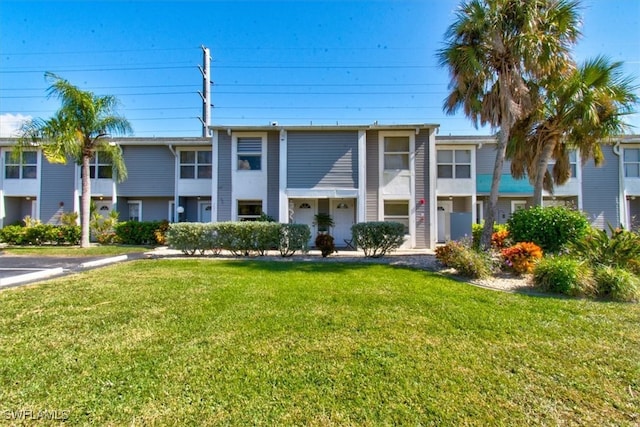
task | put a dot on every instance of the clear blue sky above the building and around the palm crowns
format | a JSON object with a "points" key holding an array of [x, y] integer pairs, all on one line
{"points": [[294, 62]]}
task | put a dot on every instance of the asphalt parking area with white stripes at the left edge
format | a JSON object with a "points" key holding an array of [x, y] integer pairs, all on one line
{"points": [[20, 270]]}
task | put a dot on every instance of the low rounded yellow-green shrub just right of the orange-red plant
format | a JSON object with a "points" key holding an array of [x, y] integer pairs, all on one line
{"points": [[564, 275]]}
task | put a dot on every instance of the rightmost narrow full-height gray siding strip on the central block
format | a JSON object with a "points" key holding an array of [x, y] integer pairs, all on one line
{"points": [[422, 189]]}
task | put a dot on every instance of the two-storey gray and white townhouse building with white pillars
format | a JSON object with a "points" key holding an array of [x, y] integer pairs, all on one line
{"points": [[436, 186]]}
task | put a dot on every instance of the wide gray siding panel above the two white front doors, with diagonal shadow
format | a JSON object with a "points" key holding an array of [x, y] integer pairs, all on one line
{"points": [[322, 159]]}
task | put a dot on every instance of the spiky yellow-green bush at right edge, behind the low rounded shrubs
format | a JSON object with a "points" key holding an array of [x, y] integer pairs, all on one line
{"points": [[619, 249]]}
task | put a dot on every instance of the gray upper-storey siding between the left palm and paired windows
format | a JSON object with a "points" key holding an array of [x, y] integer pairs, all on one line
{"points": [[151, 171]]}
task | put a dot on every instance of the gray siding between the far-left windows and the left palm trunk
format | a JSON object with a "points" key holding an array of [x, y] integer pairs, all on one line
{"points": [[56, 186]]}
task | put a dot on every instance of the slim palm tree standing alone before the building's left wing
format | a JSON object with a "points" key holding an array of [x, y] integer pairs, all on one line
{"points": [[79, 129]]}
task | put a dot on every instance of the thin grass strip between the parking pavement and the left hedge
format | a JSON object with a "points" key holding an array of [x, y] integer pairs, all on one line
{"points": [[74, 251]]}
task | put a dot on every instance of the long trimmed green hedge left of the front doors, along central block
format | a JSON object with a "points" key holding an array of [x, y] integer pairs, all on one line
{"points": [[240, 238]]}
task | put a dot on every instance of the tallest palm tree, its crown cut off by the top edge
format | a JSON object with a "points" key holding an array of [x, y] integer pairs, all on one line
{"points": [[491, 50]]}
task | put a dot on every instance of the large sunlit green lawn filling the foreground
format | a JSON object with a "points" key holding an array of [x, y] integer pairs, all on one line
{"points": [[201, 342]]}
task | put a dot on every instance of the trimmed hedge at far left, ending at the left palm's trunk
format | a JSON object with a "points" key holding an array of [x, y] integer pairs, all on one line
{"points": [[40, 234]]}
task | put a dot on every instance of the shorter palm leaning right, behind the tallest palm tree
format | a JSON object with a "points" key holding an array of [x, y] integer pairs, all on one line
{"points": [[578, 109]]}
